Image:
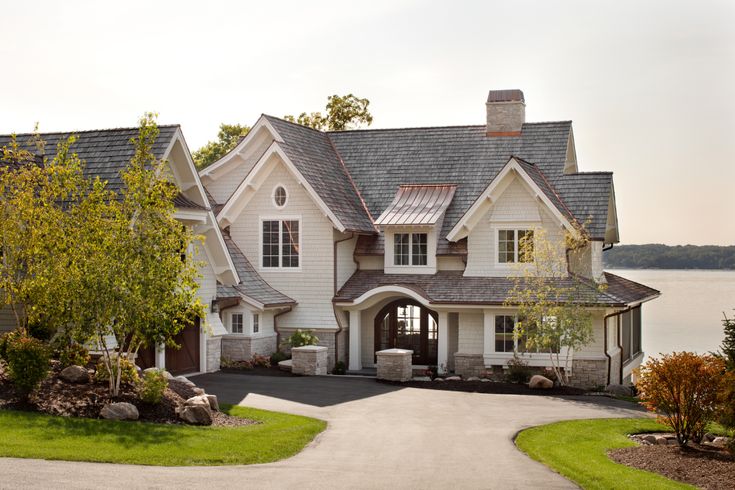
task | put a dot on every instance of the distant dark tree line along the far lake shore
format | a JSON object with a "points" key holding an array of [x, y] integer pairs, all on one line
{"points": [[658, 256]]}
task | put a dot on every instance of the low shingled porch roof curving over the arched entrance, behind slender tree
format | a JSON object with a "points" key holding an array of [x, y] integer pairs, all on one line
{"points": [[452, 287]]}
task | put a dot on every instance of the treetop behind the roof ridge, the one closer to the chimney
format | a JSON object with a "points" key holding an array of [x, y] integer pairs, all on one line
{"points": [[342, 113]]}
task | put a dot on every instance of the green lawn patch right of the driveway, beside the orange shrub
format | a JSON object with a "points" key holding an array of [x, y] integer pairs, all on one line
{"points": [[578, 450]]}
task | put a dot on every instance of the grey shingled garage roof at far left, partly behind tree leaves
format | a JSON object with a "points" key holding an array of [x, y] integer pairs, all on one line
{"points": [[106, 152]]}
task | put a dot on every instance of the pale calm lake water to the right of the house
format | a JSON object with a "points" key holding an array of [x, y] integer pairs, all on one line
{"points": [[688, 315]]}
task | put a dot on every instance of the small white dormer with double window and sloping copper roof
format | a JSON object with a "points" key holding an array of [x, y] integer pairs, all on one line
{"points": [[411, 226]]}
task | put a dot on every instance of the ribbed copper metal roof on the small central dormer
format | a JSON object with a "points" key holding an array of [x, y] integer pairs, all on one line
{"points": [[418, 204]]}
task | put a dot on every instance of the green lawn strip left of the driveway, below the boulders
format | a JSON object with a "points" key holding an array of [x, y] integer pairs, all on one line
{"points": [[277, 436]]}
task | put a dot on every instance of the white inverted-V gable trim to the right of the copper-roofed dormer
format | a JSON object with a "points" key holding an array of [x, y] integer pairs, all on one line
{"points": [[496, 188]]}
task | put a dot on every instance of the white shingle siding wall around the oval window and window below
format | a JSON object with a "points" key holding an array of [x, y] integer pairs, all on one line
{"points": [[311, 285]]}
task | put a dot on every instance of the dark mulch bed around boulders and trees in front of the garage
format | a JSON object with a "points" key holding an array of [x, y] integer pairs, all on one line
{"points": [[57, 397]]}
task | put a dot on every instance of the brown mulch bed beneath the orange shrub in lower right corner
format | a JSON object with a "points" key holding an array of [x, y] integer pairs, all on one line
{"points": [[702, 466]]}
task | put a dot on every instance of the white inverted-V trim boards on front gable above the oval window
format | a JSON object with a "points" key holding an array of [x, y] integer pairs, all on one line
{"points": [[239, 199]]}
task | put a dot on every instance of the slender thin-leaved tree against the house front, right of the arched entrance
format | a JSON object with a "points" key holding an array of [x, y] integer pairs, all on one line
{"points": [[551, 302]]}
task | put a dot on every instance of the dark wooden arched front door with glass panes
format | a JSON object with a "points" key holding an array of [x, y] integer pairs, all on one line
{"points": [[405, 324]]}
